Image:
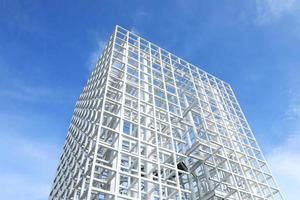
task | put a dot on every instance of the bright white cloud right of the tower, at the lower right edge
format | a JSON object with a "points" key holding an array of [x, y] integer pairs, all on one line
{"points": [[284, 159]]}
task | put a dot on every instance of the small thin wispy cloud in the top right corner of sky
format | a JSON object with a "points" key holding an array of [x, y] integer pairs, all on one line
{"points": [[269, 10]]}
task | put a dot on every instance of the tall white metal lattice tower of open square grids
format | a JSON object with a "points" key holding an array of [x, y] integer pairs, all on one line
{"points": [[149, 125]]}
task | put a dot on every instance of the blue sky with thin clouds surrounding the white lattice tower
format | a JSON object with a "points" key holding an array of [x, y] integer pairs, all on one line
{"points": [[47, 49]]}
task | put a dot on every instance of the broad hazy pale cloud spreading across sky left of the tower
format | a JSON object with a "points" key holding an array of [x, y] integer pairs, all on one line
{"points": [[27, 162]]}
